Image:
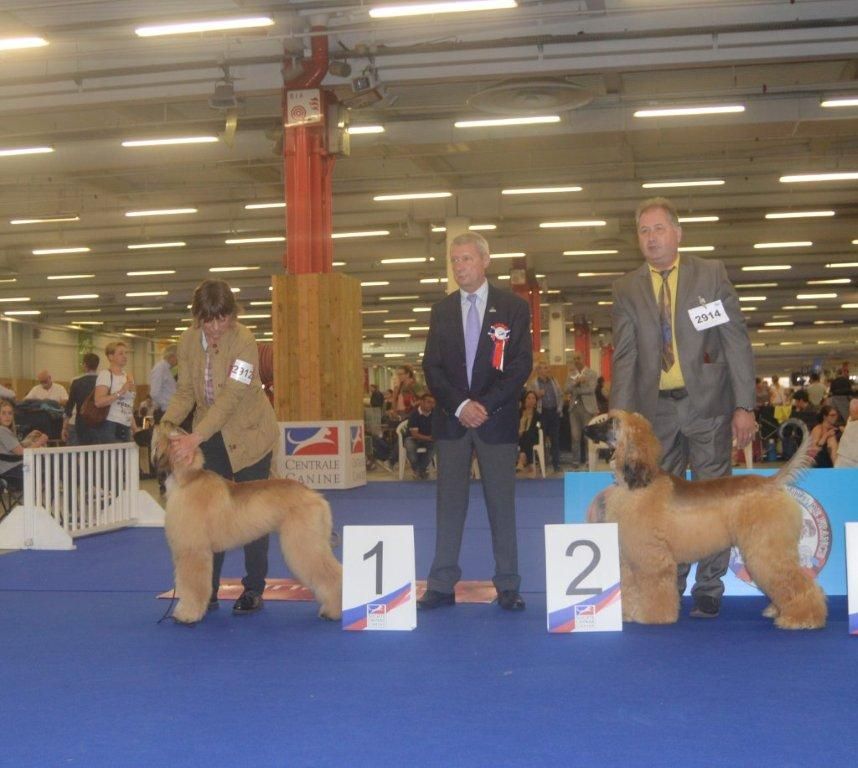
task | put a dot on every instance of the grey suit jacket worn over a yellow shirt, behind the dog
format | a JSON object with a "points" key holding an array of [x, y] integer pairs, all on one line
{"points": [[717, 363]]}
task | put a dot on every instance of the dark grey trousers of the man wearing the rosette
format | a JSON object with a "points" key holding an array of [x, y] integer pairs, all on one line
{"points": [[497, 469]]}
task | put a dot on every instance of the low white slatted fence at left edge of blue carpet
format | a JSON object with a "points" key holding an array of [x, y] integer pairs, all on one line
{"points": [[75, 491]]}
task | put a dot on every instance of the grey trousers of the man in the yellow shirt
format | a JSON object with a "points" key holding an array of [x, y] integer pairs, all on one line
{"points": [[704, 446]]}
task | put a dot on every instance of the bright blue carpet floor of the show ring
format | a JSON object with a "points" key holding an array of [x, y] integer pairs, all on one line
{"points": [[88, 678]]}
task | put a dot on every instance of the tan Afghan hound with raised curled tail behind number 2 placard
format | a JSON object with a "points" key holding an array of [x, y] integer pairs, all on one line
{"points": [[666, 520]]}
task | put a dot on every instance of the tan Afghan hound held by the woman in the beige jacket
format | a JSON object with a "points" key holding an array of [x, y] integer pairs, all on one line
{"points": [[207, 513]]}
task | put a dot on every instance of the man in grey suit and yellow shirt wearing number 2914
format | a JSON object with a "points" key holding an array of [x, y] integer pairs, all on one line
{"points": [[683, 359]]}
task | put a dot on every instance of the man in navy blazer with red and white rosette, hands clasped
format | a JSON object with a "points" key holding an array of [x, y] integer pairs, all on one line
{"points": [[476, 412]]}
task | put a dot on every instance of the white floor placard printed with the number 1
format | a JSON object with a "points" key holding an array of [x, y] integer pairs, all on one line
{"points": [[378, 577]]}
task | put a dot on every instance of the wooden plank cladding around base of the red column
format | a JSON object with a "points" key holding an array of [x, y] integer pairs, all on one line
{"points": [[318, 368]]}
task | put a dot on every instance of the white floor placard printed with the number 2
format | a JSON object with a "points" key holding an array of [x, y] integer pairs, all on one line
{"points": [[582, 578]]}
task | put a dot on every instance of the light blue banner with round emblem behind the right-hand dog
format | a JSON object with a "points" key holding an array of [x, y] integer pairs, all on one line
{"points": [[827, 498]]}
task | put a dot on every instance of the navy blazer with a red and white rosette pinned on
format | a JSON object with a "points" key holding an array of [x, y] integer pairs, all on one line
{"points": [[498, 391]]}
